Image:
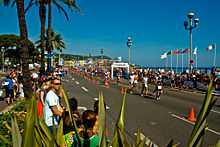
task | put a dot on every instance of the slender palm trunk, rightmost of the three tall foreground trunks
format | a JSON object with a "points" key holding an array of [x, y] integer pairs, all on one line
{"points": [[49, 35]]}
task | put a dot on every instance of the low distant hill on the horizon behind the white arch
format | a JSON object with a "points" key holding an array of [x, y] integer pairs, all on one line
{"points": [[80, 57]]}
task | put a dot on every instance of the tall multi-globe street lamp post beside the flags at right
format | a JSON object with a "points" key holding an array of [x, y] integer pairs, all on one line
{"points": [[190, 25]]}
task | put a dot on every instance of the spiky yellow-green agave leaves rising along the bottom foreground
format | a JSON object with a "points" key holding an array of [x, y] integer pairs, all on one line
{"points": [[37, 134]]}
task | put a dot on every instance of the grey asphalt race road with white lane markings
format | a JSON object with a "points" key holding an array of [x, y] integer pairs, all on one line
{"points": [[159, 120]]}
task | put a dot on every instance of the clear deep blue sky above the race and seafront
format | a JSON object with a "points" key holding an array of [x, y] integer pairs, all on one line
{"points": [[156, 26]]}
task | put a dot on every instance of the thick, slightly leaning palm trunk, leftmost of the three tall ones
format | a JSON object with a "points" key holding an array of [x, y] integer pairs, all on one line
{"points": [[23, 50]]}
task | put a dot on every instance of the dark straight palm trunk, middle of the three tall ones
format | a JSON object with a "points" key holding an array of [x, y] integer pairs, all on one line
{"points": [[42, 14]]}
